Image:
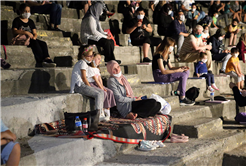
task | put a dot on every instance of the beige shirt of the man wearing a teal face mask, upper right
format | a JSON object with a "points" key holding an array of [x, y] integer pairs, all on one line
{"points": [[187, 46]]}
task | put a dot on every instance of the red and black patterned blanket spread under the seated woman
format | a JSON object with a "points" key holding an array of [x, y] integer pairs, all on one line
{"points": [[117, 129]]}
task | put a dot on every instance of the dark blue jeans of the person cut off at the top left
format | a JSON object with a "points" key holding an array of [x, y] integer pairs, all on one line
{"points": [[54, 10]]}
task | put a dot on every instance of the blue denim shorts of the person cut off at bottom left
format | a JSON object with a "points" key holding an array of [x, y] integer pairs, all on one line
{"points": [[5, 151]]}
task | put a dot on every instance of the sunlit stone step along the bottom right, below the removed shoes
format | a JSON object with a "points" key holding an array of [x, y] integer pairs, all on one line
{"points": [[204, 151]]}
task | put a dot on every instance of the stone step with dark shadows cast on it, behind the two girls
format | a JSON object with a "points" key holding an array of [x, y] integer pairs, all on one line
{"points": [[42, 80]]}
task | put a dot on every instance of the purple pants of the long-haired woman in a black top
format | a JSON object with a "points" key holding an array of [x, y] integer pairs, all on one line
{"points": [[166, 78]]}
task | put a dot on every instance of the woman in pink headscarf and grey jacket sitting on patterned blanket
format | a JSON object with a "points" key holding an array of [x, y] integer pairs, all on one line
{"points": [[129, 107]]}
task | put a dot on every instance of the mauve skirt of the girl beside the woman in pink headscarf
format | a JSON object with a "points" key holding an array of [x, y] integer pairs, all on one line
{"points": [[109, 100]]}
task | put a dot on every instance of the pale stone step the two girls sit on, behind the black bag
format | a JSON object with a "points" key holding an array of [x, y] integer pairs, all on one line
{"points": [[19, 113]]}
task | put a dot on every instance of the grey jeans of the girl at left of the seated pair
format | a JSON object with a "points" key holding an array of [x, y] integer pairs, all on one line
{"points": [[98, 95]]}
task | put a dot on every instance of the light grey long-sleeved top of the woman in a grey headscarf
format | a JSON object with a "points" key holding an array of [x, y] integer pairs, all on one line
{"points": [[91, 30]]}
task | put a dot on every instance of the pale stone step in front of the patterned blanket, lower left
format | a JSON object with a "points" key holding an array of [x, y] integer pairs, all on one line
{"points": [[41, 150]]}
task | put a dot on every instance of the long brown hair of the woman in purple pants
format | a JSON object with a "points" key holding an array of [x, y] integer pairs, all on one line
{"points": [[163, 47]]}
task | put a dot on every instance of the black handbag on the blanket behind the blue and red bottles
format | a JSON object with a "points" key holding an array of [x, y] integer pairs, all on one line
{"points": [[92, 118]]}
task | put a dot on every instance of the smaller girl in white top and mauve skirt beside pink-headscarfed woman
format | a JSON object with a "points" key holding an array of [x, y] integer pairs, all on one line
{"points": [[95, 81]]}
